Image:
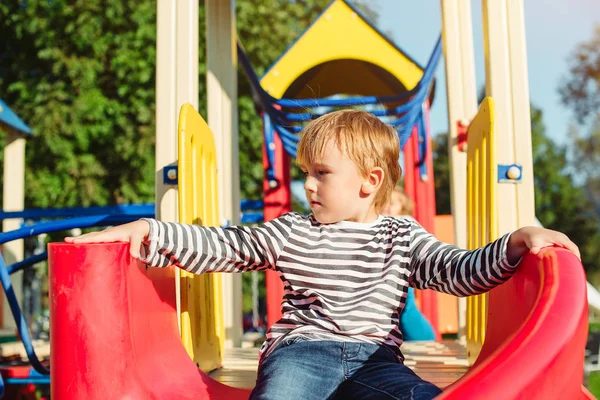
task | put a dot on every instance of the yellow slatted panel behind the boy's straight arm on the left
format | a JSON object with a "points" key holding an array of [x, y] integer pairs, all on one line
{"points": [[202, 325]]}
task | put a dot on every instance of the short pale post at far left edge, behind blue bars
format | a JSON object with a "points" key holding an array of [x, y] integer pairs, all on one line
{"points": [[13, 195]]}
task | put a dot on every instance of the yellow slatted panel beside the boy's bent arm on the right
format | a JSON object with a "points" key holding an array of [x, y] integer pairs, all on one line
{"points": [[482, 218]]}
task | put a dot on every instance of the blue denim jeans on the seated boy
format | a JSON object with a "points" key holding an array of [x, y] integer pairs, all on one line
{"points": [[302, 369]]}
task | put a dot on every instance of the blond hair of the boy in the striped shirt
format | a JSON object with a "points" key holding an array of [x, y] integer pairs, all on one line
{"points": [[361, 137]]}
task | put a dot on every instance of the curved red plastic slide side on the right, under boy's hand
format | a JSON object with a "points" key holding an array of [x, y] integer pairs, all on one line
{"points": [[536, 335]]}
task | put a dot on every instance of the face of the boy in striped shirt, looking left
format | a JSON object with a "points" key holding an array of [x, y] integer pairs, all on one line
{"points": [[333, 188]]}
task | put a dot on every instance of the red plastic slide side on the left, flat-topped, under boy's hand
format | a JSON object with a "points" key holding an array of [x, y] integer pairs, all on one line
{"points": [[113, 330]]}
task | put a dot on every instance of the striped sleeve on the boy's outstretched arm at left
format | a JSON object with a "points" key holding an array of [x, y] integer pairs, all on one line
{"points": [[200, 249]]}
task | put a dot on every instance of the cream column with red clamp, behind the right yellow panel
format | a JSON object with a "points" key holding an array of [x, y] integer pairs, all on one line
{"points": [[457, 34]]}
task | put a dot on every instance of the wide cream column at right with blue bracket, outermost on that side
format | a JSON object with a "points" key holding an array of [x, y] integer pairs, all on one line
{"points": [[507, 83]]}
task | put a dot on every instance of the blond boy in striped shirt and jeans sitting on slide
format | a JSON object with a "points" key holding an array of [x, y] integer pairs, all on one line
{"points": [[345, 268]]}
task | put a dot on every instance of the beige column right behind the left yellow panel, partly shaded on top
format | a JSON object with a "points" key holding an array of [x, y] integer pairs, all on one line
{"points": [[221, 76]]}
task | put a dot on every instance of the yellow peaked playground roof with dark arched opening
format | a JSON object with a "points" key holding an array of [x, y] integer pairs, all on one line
{"points": [[341, 53]]}
